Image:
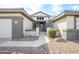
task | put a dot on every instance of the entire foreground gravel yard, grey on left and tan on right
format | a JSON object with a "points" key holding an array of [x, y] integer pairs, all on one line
{"points": [[49, 48]]}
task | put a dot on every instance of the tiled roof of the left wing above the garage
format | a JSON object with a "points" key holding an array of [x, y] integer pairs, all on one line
{"points": [[16, 10]]}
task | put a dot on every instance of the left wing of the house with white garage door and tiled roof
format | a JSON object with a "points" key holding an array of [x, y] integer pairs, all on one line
{"points": [[14, 22]]}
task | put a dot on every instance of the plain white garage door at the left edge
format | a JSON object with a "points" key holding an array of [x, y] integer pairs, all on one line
{"points": [[5, 28]]}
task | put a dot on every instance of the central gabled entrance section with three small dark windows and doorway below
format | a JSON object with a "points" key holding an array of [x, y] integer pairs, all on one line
{"points": [[41, 20]]}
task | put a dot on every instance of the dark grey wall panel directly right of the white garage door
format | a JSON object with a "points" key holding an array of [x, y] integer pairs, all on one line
{"points": [[17, 28]]}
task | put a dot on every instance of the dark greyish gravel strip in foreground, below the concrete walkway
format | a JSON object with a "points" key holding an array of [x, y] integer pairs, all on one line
{"points": [[25, 50]]}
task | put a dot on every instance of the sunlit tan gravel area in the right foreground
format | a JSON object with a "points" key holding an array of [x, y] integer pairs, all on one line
{"points": [[63, 47]]}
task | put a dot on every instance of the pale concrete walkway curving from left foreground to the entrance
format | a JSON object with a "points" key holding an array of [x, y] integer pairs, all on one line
{"points": [[41, 40]]}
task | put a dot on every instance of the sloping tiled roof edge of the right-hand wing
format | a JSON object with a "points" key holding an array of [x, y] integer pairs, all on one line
{"points": [[66, 13]]}
